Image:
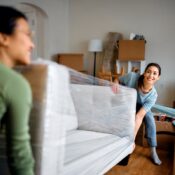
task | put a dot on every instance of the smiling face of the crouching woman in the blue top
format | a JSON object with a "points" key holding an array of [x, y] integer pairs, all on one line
{"points": [[151, 75]]}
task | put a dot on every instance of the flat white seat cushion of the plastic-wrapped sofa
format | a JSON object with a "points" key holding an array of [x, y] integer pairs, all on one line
{"points": [[90, 152]]}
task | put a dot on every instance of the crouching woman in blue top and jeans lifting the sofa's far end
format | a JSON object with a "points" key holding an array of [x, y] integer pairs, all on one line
{"points": [[146, 98]]}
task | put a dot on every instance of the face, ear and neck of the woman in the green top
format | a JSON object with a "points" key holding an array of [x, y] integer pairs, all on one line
{"points": [[18, 45]]}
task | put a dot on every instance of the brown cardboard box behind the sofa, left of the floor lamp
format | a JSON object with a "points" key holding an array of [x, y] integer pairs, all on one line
{"points": [[72, 60]]}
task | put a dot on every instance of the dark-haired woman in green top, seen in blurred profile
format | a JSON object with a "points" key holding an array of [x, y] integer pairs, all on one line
{"points": [[15, 93]]}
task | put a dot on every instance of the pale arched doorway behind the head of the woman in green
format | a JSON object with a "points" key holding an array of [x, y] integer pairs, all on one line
{"points": [[37, 19]]}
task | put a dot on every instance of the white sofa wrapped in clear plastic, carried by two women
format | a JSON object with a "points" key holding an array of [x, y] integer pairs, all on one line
{"points": [[77, 127]]}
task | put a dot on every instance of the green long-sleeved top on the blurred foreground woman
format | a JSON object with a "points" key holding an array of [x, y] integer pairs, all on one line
{"points": [[15, 105]]}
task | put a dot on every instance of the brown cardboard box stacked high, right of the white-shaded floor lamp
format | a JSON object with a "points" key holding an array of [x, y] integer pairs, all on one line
{"points": [[131, 50]]}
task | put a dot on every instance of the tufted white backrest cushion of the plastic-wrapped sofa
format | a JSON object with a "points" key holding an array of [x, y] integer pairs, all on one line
{"points": [[99, 109]]}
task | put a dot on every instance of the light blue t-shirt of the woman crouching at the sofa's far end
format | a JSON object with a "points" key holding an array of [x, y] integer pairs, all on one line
{"points": [[146, 100]]}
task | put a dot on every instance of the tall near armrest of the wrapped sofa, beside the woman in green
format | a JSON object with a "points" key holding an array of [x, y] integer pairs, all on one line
{"points": [[49, 83]]}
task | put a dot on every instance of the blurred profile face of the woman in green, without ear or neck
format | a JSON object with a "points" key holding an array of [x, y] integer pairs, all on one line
{"points": [[19, 44]]}
